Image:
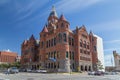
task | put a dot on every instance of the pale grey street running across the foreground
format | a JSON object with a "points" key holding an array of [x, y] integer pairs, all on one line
{"points": [[59, 76]]}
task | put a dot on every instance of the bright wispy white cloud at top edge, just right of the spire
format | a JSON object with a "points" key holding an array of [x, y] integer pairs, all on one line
{"points": [[74, 5]]}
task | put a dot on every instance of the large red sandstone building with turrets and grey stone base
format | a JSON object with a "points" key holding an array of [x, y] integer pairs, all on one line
{"points": [[59, 48]]}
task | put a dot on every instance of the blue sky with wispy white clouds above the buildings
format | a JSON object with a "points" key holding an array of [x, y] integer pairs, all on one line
{"points": [[19, 19]]}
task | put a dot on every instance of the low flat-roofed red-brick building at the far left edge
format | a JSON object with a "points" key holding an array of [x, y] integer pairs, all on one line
{"points": [[7, 57]]}
